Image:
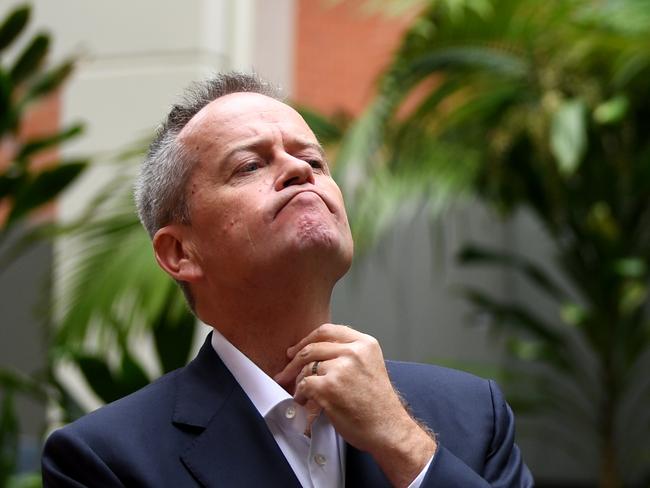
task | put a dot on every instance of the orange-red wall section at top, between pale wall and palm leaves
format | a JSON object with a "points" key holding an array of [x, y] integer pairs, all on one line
{"points": [[340, 49]]}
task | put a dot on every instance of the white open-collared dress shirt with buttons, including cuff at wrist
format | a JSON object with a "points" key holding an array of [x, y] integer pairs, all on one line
{"points": [[318, 461]]}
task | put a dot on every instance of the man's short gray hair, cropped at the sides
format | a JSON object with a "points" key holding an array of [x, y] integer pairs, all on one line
{"points": [[160, 189]]}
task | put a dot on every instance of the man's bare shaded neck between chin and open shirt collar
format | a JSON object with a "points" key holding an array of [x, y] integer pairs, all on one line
{"points": [[263, 322]]}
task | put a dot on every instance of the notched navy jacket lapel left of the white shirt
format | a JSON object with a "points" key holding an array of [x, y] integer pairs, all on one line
{"points": [[234, 446]]}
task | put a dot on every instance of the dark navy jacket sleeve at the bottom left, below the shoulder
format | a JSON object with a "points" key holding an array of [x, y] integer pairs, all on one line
{"points": [[69, 462]]}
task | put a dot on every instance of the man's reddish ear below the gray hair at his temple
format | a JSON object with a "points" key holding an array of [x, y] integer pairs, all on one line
{"points": [[173, 252]]}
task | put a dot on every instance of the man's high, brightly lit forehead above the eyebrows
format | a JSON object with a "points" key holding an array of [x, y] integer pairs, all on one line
{"points": [[240, 115]]}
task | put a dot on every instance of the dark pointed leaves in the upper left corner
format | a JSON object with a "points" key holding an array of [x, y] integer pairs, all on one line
{"points": [[23, 83]]}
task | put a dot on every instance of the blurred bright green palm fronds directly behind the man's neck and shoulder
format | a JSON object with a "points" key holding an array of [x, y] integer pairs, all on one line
{"points": [[115, 297]]}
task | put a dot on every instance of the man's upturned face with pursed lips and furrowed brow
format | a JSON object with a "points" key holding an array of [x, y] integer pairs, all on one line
{"points": [[261, 195]]}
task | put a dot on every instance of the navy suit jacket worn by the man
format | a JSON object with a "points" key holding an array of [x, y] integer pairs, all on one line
{"points": [[196, 426]]}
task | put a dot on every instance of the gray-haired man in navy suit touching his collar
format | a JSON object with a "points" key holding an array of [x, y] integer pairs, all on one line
{"points": [[244, 214]]}
